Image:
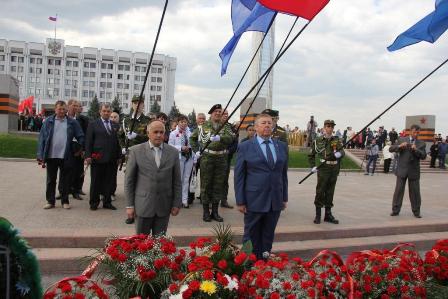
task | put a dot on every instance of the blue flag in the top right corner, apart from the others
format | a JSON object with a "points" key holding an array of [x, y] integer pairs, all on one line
{"points": [[429, 29]]}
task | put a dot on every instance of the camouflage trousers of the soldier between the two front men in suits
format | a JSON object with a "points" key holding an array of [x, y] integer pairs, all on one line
{"points": [[213, 176]]}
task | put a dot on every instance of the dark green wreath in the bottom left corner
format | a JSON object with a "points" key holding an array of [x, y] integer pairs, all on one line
{"points": [[24, 274]]}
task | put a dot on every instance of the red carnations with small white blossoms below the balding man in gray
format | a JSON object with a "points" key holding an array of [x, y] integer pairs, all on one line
{"points": [[141, 265]]}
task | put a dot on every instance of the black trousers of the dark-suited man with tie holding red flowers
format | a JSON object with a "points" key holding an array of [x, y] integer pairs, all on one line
{"points": [[101, 182]]}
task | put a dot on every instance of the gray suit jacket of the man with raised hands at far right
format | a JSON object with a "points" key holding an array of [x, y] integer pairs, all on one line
{"points": [[409, 160]]}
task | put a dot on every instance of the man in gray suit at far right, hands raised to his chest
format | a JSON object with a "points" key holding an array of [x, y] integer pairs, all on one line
{"points": [[410, 152]]}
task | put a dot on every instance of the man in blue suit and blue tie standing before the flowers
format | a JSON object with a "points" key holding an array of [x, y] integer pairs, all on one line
{"points": [[261, 185]]}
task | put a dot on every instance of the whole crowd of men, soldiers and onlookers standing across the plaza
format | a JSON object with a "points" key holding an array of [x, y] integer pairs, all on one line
{"points": [[166, 163]]}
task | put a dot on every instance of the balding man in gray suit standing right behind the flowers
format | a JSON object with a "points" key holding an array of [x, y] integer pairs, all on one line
{"points": [[152, 182]]}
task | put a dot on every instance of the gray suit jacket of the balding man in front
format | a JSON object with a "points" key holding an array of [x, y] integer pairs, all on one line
{"points": [[153, 190]]}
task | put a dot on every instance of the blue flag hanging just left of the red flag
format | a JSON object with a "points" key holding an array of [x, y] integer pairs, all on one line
{"points": [[247, 15]]}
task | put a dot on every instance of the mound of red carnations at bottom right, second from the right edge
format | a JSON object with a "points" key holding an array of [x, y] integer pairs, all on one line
{"points": [[396, 273]]}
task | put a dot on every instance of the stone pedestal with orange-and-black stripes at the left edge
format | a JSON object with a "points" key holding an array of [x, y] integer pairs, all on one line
{"points": [[9, 102]]}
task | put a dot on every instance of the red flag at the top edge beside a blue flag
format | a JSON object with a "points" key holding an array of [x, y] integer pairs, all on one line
{"points": [[306, 9]]}
